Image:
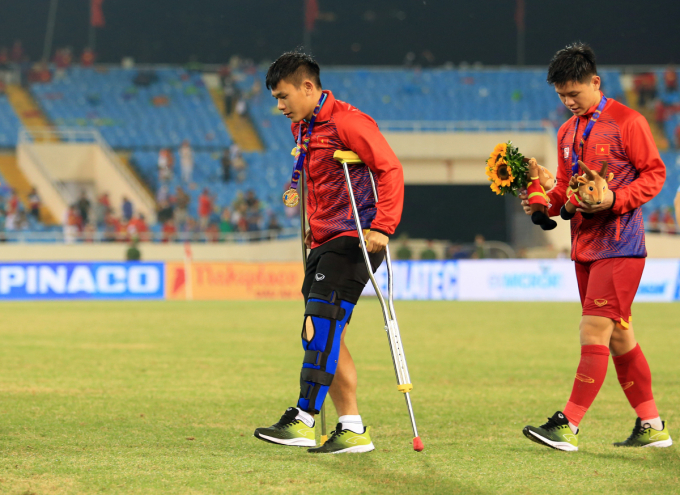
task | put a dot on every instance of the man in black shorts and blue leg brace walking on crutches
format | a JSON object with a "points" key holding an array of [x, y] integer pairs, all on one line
{"points": [[336, 273]]}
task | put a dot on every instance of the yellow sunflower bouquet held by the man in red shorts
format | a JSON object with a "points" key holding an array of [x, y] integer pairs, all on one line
{"points": [[507, 169]]}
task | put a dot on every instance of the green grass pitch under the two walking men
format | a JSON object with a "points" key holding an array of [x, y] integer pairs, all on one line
{"points": [[162, 397]]}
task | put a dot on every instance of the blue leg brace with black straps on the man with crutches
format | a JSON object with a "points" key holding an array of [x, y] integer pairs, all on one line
{"points": [[323, 350]]}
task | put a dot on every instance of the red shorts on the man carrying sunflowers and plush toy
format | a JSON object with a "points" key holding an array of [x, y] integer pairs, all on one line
{"points": [[607, 287]]}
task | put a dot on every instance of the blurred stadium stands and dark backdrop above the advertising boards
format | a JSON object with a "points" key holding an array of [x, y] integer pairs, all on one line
{"points": [[104, 104]]}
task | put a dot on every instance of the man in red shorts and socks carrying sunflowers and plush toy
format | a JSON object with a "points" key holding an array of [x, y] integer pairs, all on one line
{"points": [[607, 245]]}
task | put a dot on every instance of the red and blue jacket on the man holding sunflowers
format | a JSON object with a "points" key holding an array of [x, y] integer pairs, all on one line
{"points": [[622, 137]]}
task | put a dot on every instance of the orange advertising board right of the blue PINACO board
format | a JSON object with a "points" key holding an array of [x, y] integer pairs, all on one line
{"points": [[237, 281]]}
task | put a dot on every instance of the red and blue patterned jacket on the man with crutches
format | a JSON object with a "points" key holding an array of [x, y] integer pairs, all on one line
{"points": [[340, 126]]}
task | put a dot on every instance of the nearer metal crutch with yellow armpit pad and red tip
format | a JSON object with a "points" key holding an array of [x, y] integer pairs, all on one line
{"points": [[389, 315]]}
